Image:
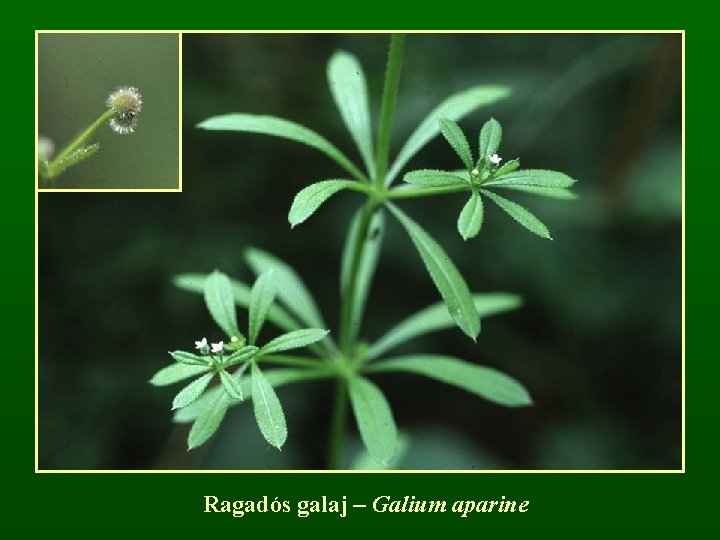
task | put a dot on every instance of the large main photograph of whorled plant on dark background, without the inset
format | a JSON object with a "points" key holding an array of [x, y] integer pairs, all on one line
{"points": [[395, 251]]}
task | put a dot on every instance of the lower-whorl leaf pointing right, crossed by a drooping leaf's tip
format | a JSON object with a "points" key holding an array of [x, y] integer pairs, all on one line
{"points": [[436, 317]]}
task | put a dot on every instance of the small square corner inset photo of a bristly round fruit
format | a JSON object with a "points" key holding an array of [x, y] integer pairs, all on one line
{"points": [[108, 111]]}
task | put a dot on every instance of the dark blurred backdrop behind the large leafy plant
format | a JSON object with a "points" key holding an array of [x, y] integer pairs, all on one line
{"points": [[597, 343]]}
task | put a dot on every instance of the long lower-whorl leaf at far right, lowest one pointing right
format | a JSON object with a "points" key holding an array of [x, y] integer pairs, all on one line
{"points": [[483, 381]]}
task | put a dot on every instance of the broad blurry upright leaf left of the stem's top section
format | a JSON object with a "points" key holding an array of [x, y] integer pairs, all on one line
{"points": [[347, 84]]}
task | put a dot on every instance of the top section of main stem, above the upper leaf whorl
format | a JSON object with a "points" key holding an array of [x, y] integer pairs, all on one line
{"points": [[387, 110]]}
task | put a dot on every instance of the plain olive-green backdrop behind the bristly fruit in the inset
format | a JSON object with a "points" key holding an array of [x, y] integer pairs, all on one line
{"points": [[77, 72]]}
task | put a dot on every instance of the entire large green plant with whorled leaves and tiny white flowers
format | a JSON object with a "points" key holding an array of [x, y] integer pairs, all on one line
{"points": [[350, 360]]}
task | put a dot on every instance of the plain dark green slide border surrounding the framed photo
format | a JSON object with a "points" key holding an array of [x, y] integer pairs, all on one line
{"points": [[577, 503]]}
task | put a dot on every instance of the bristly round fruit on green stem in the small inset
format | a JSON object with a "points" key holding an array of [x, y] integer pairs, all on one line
{"points": [[123, 106]]}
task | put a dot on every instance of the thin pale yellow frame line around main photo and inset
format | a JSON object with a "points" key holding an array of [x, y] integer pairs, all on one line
{"points": [[293, 471]]}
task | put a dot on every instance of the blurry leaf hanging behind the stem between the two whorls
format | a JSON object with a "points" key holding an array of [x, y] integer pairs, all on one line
{"points": [[368, 262]]}
